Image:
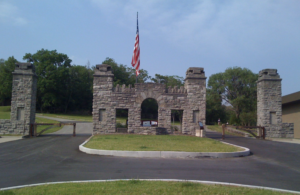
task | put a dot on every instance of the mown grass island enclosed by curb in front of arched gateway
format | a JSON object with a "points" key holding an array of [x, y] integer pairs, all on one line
{"points": [[130, 142]]}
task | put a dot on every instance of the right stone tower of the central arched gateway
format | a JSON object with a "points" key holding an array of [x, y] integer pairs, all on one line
{"points": [[195, 85]]}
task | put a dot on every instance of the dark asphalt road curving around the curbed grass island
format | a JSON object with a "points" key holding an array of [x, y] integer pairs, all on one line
{"points": [[57, 158]]}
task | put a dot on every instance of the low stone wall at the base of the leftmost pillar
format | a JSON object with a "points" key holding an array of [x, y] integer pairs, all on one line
{"points": [[16, 127]]}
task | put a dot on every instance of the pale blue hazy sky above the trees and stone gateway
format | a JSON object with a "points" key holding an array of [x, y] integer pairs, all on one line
{"points": [[174, 34]]}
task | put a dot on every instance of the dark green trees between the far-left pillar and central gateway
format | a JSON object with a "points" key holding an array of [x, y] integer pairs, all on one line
{"points": [[60, 86]]}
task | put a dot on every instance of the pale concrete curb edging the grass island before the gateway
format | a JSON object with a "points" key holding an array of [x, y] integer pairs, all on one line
{"points": [[165, 154]]}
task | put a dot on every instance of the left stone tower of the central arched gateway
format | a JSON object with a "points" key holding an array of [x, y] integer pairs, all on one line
{"points": [[103, 111]]}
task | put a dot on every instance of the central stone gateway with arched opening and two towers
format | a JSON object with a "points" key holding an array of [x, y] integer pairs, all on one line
{"points": [[191, 99]]}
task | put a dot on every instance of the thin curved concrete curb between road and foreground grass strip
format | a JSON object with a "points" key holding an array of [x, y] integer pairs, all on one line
{"points": [[167, 180]]}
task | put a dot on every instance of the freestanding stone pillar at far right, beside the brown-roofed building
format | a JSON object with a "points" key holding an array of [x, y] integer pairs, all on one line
{"points": [[269, 111]]}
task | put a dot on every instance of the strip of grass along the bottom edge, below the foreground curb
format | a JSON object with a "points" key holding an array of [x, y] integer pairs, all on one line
{"points": [[136, 187]]}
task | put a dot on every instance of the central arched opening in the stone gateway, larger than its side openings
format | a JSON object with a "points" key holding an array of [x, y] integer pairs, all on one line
{"points": [[149, 112]]}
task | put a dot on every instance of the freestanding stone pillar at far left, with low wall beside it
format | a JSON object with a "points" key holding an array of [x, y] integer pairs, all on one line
{"points": [[23, 101]]}
